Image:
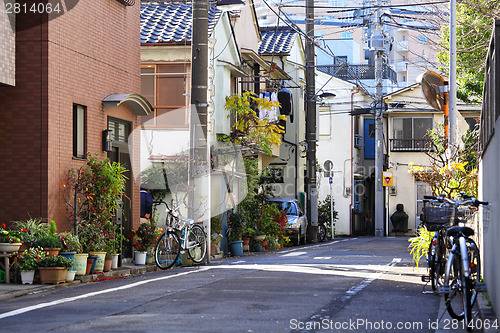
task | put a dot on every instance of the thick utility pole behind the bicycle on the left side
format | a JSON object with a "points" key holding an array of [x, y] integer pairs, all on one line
{"points": [[198, 152]]}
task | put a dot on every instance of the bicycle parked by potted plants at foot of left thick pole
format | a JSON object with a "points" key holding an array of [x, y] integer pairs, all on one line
{"points": [[192, 239]]}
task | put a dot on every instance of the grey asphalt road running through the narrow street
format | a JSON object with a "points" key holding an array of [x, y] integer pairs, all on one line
{"points": [[346, 285]]}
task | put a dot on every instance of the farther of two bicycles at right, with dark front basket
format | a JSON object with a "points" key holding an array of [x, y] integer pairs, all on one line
{"points": [[438, 215]]}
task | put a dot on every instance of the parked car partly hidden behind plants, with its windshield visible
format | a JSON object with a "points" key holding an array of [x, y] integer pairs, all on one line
{"points": [[297, 220]]}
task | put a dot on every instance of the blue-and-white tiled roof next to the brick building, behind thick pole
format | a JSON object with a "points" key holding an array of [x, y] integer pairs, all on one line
{"points": [[171, 22]]}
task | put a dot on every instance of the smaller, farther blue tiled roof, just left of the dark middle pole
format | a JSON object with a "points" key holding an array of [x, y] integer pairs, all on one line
{"points": [[277, 40]]}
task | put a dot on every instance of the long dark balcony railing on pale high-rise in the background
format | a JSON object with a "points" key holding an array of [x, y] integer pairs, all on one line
{"points": [[357, 72]]}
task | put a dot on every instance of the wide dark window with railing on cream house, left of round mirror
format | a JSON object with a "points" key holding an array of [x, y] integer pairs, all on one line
{"points": [[410, 134]]}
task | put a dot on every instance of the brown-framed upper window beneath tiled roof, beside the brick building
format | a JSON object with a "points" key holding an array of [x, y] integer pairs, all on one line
{"points": [[166, 88]]}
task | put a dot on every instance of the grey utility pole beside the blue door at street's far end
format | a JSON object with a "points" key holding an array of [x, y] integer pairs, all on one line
{"points": [[378, 42]]}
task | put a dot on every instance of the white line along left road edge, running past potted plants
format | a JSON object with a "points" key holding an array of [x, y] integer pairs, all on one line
{"points": [[96, 293]]}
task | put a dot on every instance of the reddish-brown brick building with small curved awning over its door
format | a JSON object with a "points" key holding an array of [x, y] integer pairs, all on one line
{"points": [[65, 67]]}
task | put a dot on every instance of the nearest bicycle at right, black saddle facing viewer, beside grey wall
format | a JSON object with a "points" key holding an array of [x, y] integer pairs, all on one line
{"points": [[462, 277]]}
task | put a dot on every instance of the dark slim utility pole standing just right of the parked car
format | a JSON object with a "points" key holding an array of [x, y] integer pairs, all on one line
{"points": [[312, 192]]}
